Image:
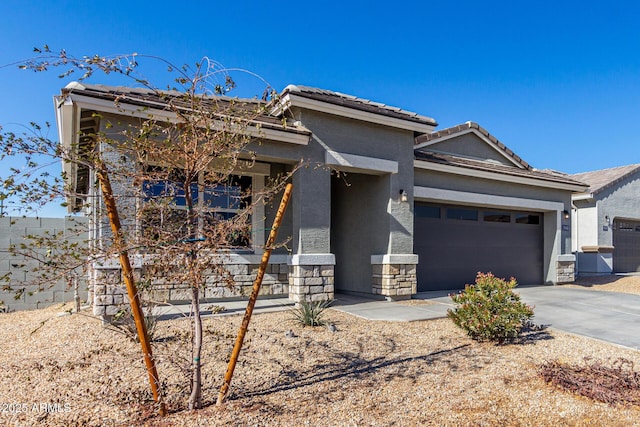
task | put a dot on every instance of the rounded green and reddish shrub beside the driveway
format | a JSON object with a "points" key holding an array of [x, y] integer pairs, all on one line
{"points": [[489, 310]]}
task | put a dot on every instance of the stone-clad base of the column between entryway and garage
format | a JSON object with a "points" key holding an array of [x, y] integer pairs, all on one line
{"points": [[394, 275]]}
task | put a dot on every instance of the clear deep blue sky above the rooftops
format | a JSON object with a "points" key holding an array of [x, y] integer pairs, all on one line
{"points": [[556, 81]]}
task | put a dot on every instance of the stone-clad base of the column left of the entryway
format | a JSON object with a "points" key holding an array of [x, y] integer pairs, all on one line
{"points": [[311, 277]]}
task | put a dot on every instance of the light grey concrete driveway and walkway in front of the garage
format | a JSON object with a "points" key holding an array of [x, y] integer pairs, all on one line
{"points": [[608, 316]]}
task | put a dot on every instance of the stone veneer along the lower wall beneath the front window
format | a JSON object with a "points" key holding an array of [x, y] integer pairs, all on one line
{"points": [[108, 291]]}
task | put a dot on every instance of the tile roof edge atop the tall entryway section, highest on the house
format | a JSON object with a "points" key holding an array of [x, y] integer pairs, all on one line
{"points": [[354, 102]]}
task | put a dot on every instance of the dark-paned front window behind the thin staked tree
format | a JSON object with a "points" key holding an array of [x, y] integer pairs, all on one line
{"points": [[165, 205]]}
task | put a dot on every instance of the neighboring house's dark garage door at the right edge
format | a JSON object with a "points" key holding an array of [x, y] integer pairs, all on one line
{"points": [[626, 245]]}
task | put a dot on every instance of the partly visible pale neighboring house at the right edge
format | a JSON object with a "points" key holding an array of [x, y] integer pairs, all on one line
{"points": [[606, 221]]}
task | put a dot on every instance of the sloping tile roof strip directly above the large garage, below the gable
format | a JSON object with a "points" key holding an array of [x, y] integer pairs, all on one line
{"points": [[488, 166]]}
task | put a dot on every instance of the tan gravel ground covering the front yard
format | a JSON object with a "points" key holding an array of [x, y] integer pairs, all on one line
{"points": [[70, 370]]}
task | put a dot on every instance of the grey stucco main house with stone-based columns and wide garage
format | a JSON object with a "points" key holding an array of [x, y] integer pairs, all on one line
{"points": [[422, 210]]}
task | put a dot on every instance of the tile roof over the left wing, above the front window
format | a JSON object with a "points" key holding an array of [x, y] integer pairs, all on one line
{"points": [[160, 100]]}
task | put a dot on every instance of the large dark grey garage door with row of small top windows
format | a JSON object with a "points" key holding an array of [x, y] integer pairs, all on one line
{"points": [[455, 242]]}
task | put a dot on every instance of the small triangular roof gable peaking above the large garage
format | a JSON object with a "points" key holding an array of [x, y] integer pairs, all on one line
{"points": [[469, 140]]}
